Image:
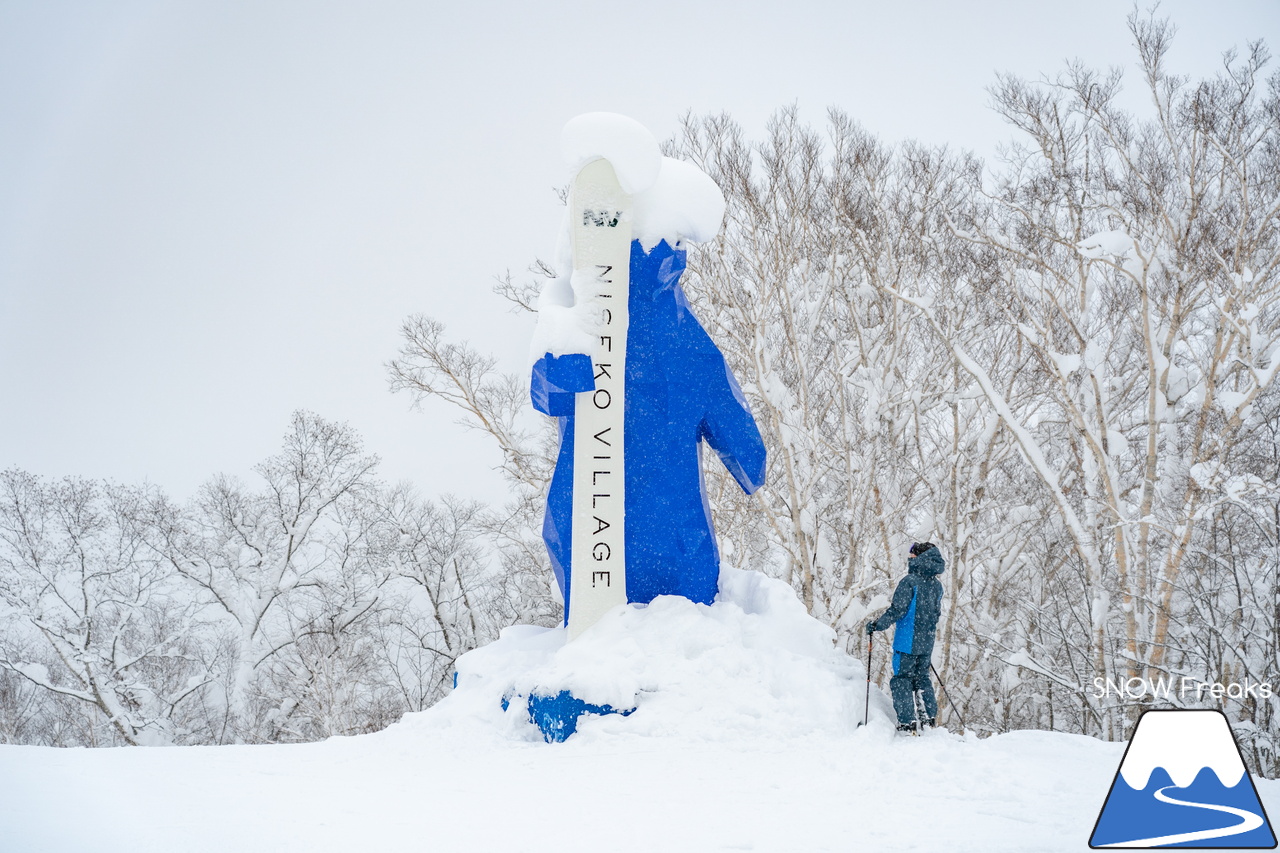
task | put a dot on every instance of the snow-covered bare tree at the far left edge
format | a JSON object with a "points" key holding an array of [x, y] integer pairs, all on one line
{"points": [[92, 615]]}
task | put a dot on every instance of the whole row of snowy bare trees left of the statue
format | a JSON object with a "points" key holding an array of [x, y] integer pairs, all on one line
{"points": [[321, 604]]}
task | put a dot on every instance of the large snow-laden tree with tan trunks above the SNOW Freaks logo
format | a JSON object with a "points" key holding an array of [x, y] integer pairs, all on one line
{"points": [[1137, 263]]}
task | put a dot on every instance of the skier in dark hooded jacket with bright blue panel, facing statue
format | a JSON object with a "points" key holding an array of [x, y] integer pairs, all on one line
{"points": [[915, 613]]}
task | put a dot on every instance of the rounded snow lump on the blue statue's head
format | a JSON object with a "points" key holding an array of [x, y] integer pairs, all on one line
{"points": [[683, 204]]}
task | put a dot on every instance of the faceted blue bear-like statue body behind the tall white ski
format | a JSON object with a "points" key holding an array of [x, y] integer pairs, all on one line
{"points": [[679, 393]]}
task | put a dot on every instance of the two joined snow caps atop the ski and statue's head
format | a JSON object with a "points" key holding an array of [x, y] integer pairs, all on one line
{"points": [[674, 200]]}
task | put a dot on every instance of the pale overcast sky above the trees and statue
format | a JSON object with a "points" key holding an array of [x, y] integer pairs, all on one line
{"points": [[213, 215]]}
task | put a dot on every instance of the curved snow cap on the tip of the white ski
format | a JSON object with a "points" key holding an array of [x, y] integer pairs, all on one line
{"points": [[628, 145]]}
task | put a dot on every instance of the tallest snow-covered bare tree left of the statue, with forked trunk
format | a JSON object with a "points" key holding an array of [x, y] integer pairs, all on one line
{"points": [[278, 564]]}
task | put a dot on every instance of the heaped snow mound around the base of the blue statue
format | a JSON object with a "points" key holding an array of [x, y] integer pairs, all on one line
{"points": [[753, 664]]}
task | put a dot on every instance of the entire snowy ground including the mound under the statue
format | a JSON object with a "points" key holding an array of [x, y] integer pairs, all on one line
{"points": [[744, 740]]}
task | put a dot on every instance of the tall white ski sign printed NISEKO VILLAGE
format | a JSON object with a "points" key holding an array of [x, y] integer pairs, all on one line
{"points": [[601, 240]]}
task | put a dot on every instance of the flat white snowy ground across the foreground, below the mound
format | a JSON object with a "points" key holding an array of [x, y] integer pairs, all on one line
{"points": [[413, 788]]}
